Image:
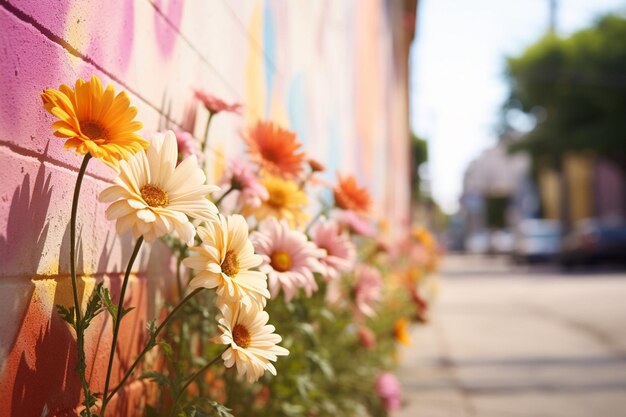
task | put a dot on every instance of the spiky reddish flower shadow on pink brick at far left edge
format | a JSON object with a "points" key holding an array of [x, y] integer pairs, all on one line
{"points": [[22, 243]]}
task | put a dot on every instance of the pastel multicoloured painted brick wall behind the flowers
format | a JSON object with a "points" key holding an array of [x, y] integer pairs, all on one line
{"points": [[324, 68]]}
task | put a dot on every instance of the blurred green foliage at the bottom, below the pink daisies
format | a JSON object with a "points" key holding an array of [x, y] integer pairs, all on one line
{"points": [[328, 372]]}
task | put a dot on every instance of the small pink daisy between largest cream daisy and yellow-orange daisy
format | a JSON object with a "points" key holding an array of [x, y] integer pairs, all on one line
{"points": [[240, 177]]}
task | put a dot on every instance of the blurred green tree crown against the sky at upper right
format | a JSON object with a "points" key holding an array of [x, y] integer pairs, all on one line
{"points": [[576, 86]]}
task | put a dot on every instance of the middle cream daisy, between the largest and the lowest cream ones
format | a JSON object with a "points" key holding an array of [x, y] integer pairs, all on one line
{"points": [[224, 260]]}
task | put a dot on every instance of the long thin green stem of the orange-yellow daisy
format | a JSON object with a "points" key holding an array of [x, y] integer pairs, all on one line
{"points": [[80, 336]]}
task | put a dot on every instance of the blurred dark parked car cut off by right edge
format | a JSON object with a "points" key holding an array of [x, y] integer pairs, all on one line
{"points": [[594, 241]]}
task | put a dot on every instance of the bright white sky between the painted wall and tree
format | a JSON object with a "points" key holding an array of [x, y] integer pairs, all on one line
{"points": [[457, 74]]}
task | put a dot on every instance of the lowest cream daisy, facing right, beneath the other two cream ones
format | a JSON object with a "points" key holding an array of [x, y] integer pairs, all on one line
{"points": [[253, 343]]}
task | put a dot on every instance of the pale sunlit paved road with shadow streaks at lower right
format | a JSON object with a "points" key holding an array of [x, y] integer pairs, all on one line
{"points": [[519, 342]]}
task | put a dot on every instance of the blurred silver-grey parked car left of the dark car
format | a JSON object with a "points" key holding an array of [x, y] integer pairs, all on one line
{"points": [[537, 240]]}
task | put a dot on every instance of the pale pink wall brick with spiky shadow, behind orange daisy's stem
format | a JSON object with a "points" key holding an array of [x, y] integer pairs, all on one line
{"points": [[34, 219]]}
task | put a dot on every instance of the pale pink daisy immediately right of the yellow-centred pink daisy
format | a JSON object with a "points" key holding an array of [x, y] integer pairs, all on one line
{"points": [[340, 251]]}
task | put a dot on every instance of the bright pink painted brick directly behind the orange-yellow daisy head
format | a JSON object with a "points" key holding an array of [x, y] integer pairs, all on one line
{"points": [[33, 64]]}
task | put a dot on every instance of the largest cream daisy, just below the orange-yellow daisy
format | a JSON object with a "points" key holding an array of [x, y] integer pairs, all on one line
{"points": [[153, 197]]}
